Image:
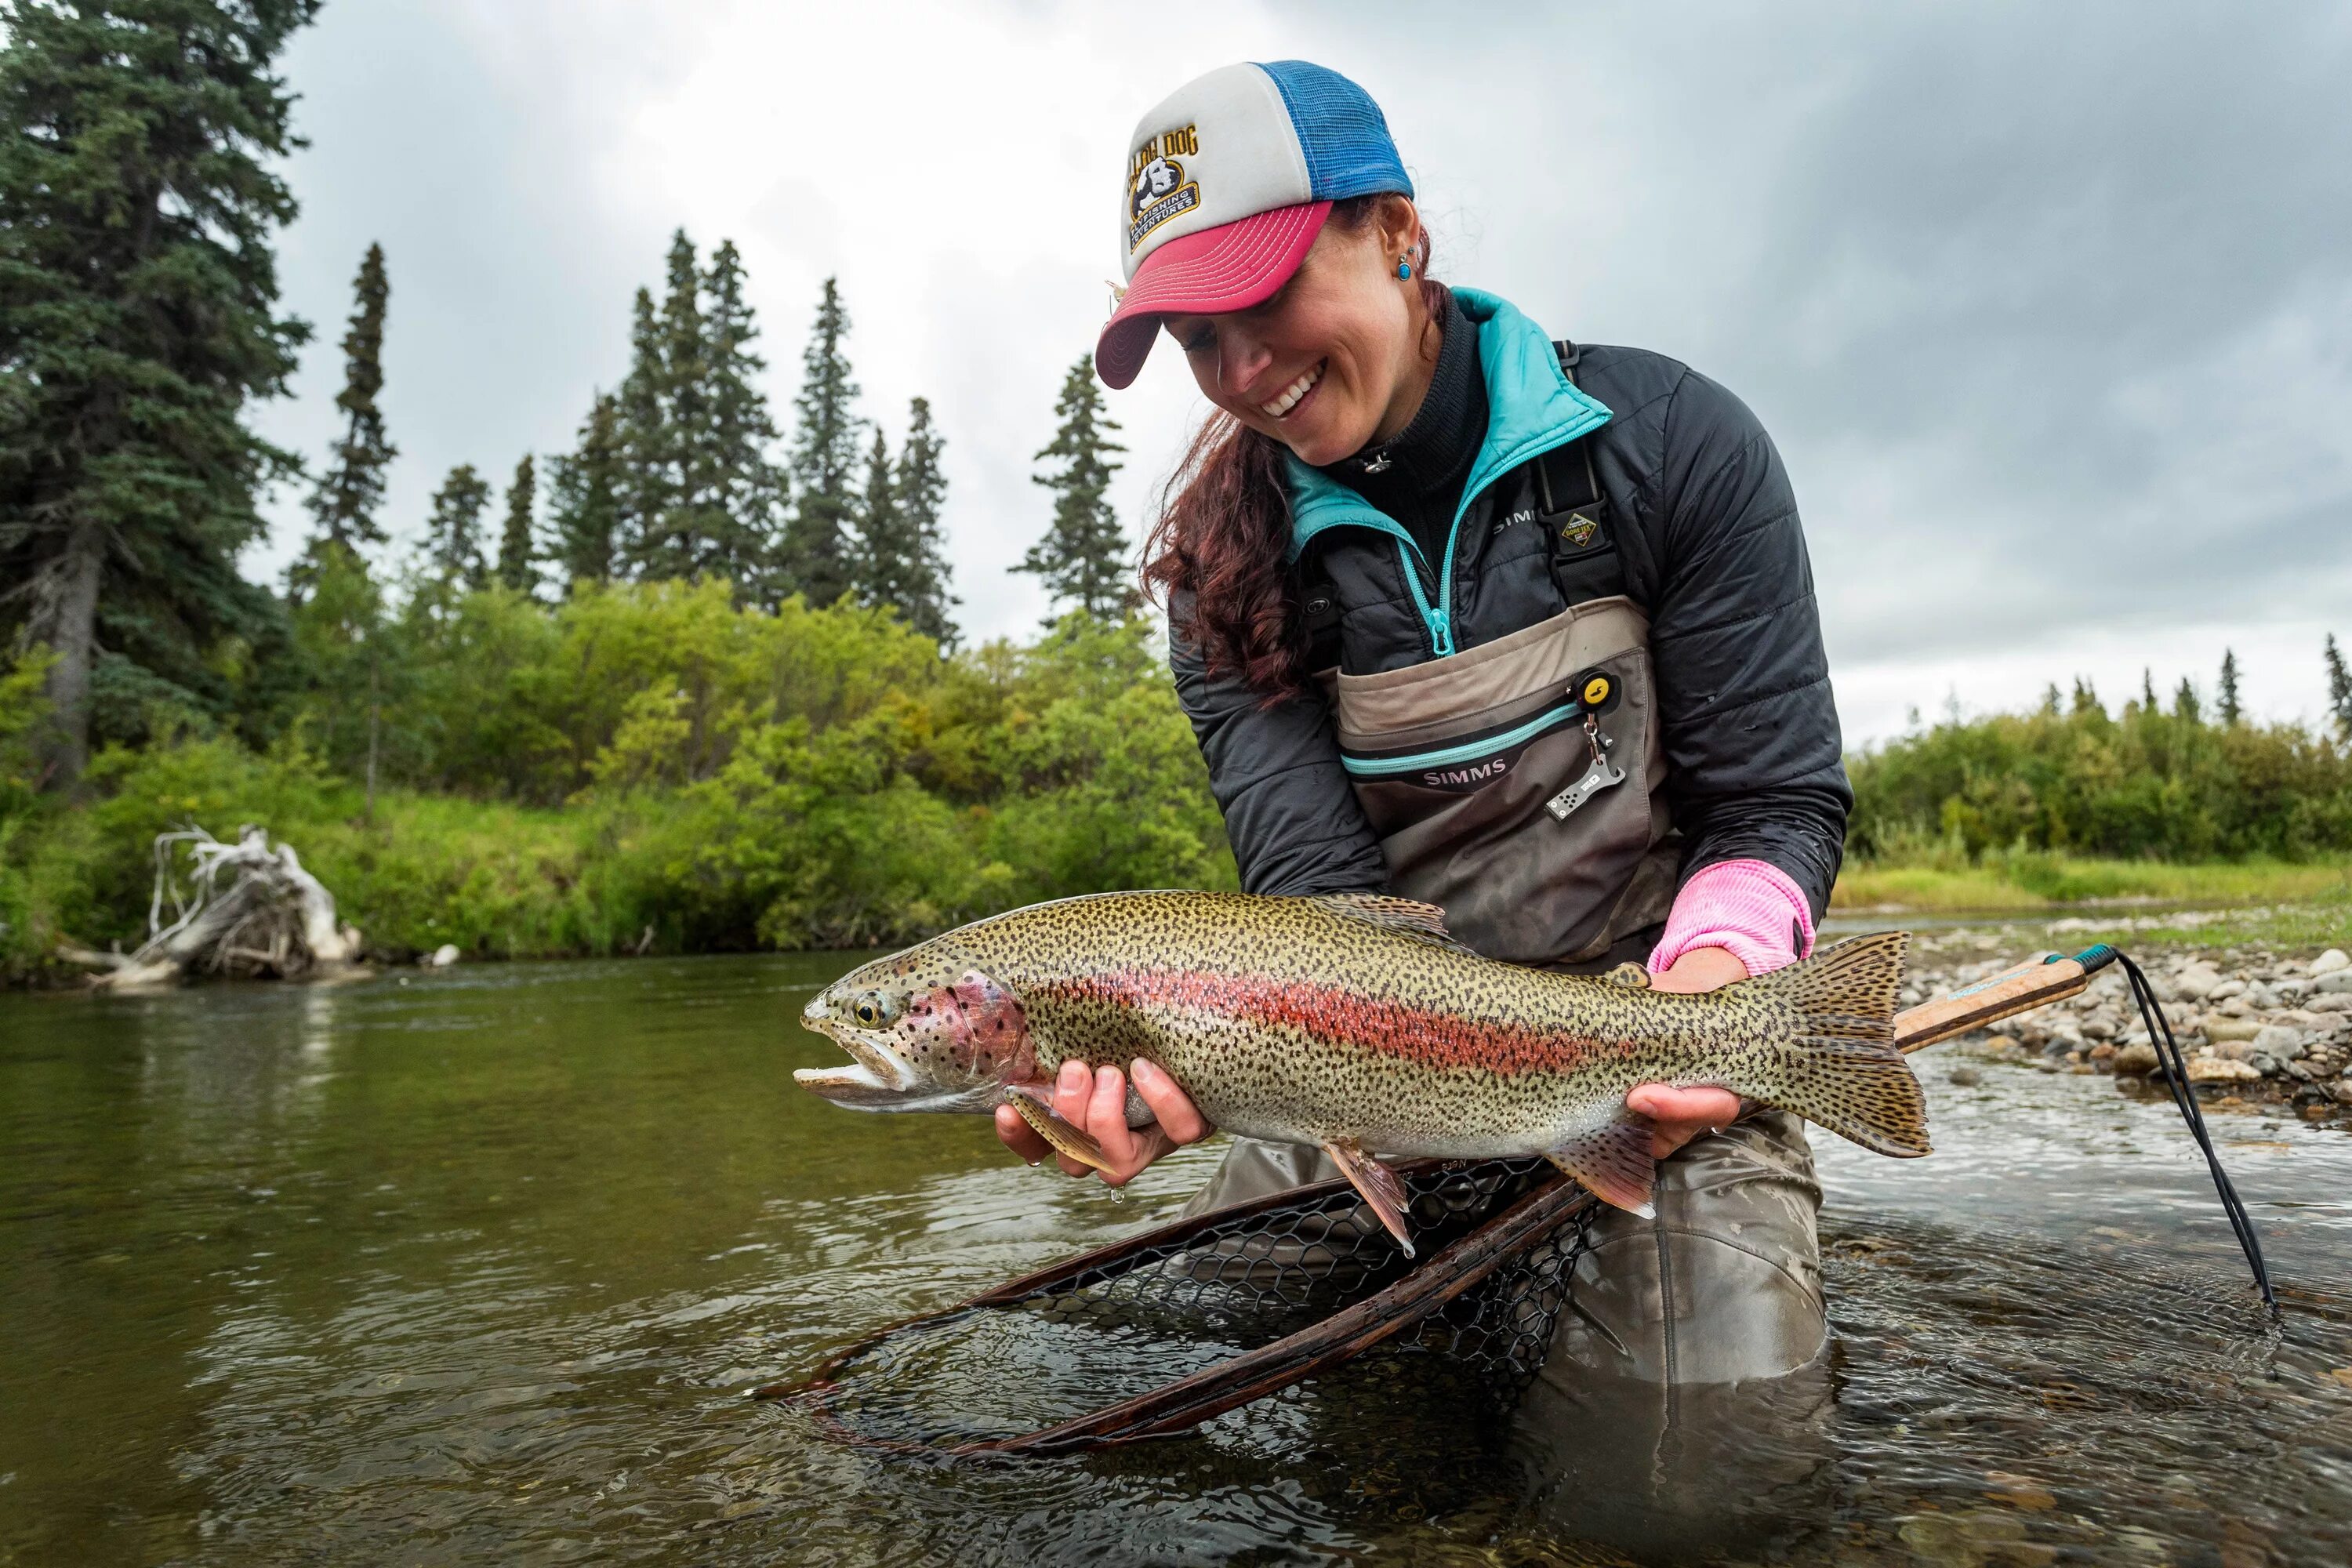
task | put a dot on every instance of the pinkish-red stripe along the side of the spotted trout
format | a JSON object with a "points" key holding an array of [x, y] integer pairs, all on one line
{"points": [[1342, 1017]]}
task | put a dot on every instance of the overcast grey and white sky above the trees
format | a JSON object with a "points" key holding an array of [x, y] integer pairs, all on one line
{"points": [[2050, 307]]}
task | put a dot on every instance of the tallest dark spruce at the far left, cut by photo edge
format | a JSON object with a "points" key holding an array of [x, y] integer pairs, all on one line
{"points": [[138, 201]]}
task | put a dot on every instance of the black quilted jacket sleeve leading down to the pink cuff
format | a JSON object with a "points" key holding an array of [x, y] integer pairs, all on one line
{"points": [[1744, 685]]}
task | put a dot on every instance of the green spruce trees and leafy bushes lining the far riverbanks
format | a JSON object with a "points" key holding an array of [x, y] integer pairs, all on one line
{"points": [[695, 683]]}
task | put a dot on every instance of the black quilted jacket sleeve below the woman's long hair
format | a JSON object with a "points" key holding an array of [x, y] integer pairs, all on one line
{"points": [[1278, 779]]}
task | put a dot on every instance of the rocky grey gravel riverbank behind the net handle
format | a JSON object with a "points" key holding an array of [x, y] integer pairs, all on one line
{"points": [[2259, 1028]]}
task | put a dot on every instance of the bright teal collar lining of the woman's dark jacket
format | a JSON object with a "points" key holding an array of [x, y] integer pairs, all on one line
{"points": [[1530, 410]]}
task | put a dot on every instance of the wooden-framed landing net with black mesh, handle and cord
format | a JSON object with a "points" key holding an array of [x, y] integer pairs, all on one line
{"points": [[1250, 1301]]}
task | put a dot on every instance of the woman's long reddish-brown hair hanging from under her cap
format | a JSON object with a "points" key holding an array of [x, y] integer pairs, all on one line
{"points": [[1227, 525]]}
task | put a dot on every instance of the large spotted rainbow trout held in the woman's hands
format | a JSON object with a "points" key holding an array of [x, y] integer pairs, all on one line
{"points": [[1356, 1024]]}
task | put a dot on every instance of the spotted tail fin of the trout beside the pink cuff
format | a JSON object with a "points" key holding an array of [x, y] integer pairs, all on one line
{"points": [[1840, 1064]]}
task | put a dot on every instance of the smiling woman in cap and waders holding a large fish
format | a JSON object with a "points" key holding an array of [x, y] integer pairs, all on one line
{"points": [[1412, 532]]}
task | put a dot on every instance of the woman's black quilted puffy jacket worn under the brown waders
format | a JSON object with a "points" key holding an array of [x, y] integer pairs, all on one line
{"points": [[1706, 542]]}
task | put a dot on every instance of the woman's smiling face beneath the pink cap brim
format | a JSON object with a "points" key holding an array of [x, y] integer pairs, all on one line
{"points": [[1330, 363]]}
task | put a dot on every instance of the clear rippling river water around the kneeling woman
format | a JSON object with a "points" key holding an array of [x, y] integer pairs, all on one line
{"points": [[476, 1268]]}
